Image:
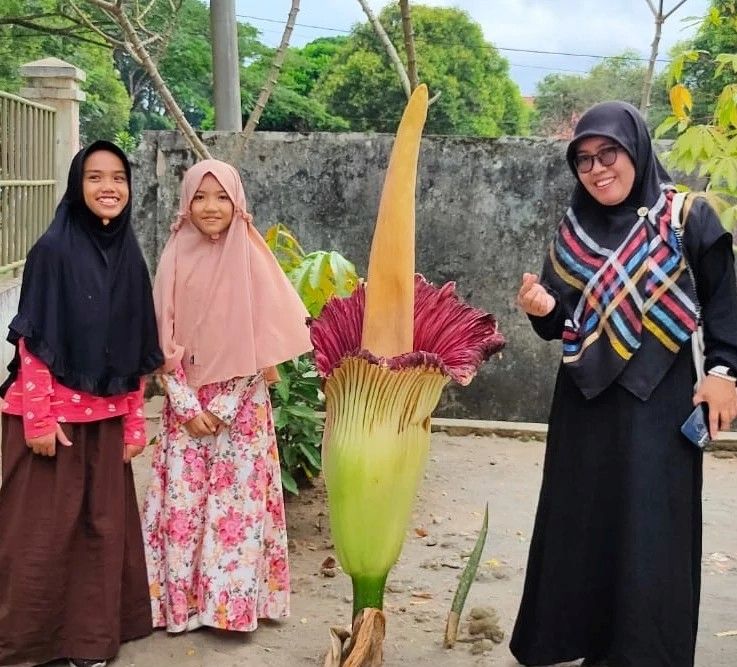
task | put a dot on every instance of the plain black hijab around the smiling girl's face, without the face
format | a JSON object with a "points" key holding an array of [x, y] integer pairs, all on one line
{"points": [[85, 307]]}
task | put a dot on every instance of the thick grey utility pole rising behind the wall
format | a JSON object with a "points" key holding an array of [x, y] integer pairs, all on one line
{"points": [[225, 65]]}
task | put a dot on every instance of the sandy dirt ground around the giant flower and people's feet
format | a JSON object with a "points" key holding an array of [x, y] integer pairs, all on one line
{"points": [[463, 473]]}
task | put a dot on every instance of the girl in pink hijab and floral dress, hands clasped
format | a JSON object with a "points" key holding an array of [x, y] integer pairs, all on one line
{"points": [[213, 518]]}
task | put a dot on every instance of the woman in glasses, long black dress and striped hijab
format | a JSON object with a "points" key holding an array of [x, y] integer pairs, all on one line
{"points": [[614, 566]]}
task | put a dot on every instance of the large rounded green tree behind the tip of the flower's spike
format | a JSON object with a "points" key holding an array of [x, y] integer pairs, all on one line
{"points": [[453, 58]]}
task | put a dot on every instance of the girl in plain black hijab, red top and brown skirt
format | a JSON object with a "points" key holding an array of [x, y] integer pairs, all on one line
{"points": [[73, 582]]}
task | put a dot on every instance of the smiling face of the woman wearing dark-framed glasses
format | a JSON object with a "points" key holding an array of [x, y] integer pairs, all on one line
{"points": [[608, 184]]}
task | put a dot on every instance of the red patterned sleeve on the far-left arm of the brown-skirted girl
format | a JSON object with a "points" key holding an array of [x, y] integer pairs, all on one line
{"points": [[35, 383]]}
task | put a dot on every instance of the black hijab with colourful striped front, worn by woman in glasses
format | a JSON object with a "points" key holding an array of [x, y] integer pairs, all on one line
{"points": [[609, 334]]}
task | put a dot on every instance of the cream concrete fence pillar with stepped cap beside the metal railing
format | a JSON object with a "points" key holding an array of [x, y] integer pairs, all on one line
{"points": [[55, 83]]}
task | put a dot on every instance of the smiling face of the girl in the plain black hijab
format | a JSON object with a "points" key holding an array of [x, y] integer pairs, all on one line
{"points": [[105, 185]]}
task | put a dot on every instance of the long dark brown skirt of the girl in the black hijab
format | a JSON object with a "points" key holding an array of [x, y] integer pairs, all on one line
{"points": [[72, 569]]}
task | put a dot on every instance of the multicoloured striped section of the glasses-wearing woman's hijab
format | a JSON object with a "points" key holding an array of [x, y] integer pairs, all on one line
{"points": [[643, 283]]}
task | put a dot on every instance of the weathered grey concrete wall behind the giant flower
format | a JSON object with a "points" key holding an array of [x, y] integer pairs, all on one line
{"points": [[486, 210]]}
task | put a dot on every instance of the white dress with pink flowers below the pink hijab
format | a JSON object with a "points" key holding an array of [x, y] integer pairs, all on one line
{"points": [[213, 518]]}
